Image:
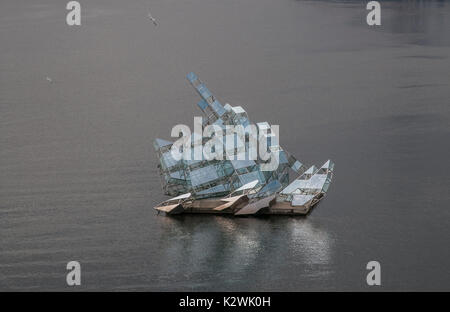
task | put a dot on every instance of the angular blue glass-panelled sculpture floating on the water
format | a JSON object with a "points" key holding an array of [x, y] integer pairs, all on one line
{"points": [[232, 186]]}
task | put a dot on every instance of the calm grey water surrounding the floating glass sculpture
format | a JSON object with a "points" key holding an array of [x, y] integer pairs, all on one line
{"points": [[78, 176]]}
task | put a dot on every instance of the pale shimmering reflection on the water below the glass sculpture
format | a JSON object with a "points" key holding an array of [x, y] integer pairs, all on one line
{"points": [[192, 245]]}
